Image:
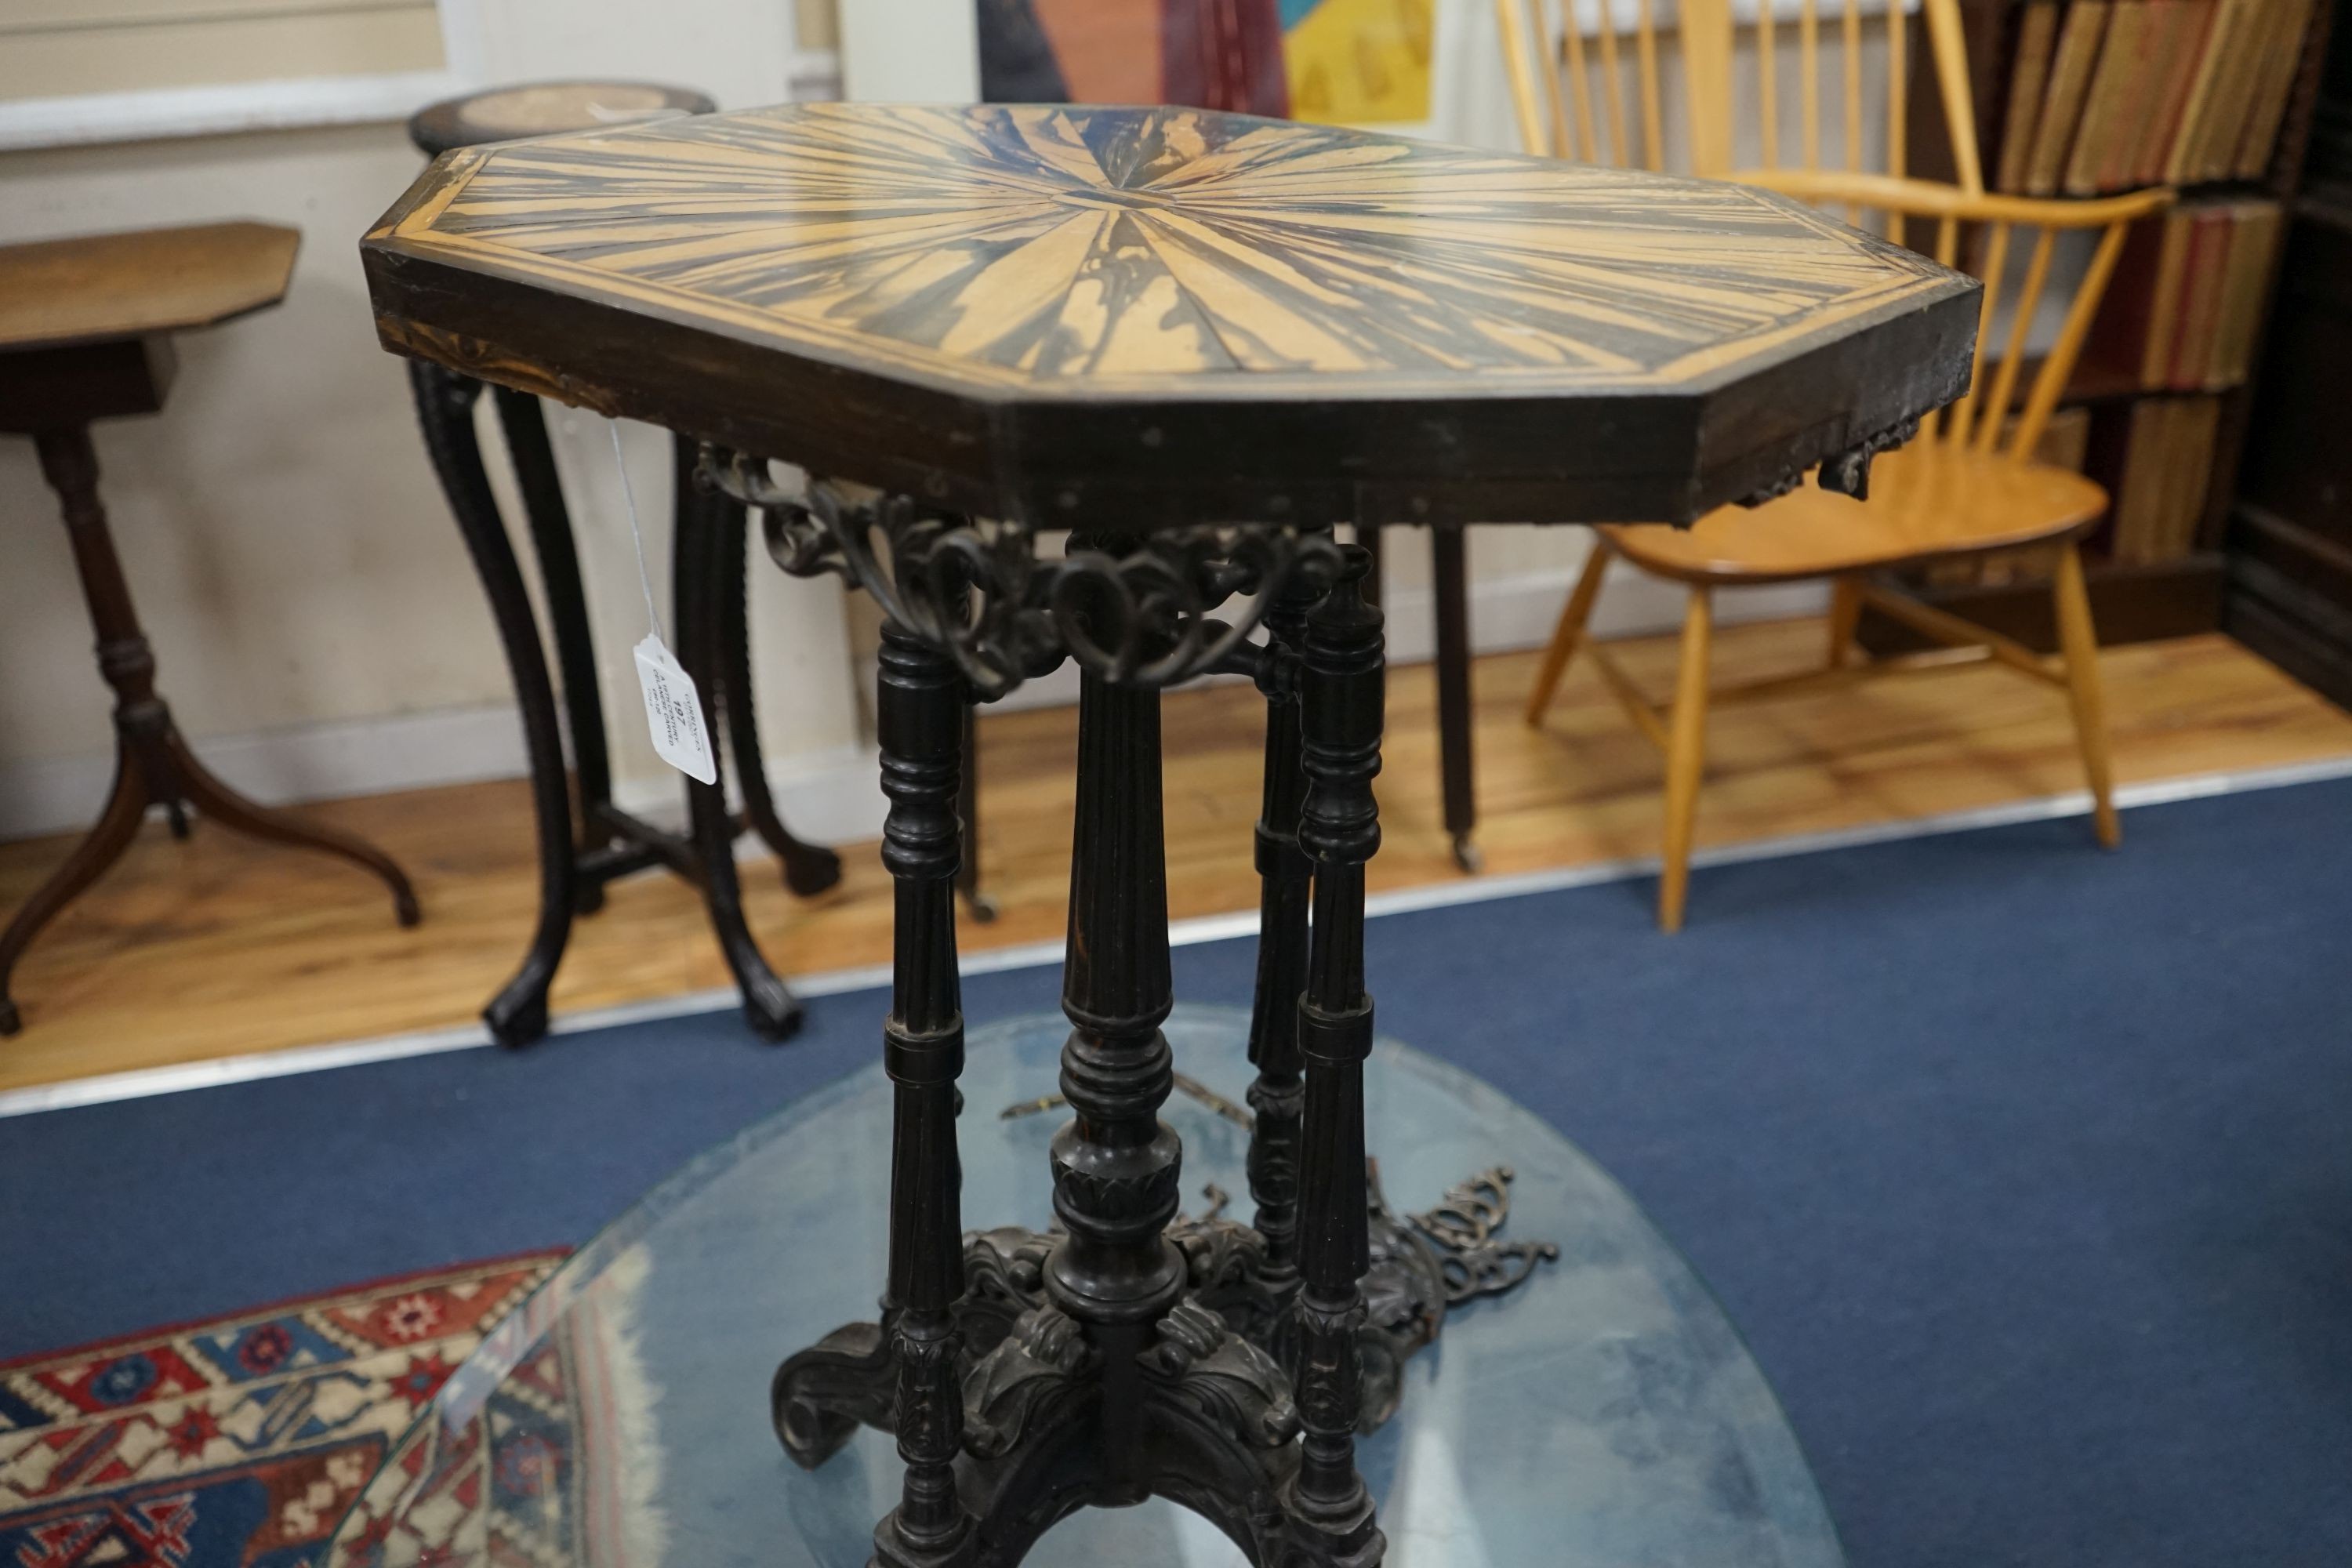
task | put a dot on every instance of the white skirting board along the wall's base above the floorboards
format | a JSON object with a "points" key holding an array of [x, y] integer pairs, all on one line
{"points": [[827, 798]]}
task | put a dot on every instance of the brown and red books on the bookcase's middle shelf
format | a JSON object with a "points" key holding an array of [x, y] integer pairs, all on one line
{"points": [[2186, 302]]}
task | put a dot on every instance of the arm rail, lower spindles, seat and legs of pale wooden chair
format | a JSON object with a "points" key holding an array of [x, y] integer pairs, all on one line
{"points": [[1967, 485]]}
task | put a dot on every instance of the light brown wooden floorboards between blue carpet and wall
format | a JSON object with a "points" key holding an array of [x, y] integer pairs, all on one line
{"points": [[222, 949]]}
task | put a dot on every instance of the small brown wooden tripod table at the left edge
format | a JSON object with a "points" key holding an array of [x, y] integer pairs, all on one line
{"points": [[86, 333]]}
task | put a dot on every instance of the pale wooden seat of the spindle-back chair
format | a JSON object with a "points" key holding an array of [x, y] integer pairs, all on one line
{"points": [[1927, 500]]}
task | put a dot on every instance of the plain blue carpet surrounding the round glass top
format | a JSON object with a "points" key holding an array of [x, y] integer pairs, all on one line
{"points": [[2026, 1170]]}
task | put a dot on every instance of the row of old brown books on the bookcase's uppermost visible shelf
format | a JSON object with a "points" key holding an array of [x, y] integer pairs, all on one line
{"points": [[2109, 95]]}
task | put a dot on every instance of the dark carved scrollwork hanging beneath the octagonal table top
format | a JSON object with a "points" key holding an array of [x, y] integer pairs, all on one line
{"points": [[977, 589]]}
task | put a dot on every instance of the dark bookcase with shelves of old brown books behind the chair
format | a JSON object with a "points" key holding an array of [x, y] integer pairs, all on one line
{"points": [[2229, 88]]}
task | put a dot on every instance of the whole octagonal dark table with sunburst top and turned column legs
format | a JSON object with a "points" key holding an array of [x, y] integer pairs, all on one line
{"points": [[1196, 342]]}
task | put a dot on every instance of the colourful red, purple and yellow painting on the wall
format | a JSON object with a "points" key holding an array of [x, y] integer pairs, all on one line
{"points": [[1337, 62]]}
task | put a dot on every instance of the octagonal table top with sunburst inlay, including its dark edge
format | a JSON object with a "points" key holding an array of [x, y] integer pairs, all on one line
{"points": [[1156, 314]]}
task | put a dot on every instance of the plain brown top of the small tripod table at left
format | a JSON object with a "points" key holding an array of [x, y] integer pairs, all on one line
{"points": [[145, 283]]}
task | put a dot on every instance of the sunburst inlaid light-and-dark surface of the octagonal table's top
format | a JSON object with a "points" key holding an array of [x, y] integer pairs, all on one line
{"points": [[1163, 250]]}
